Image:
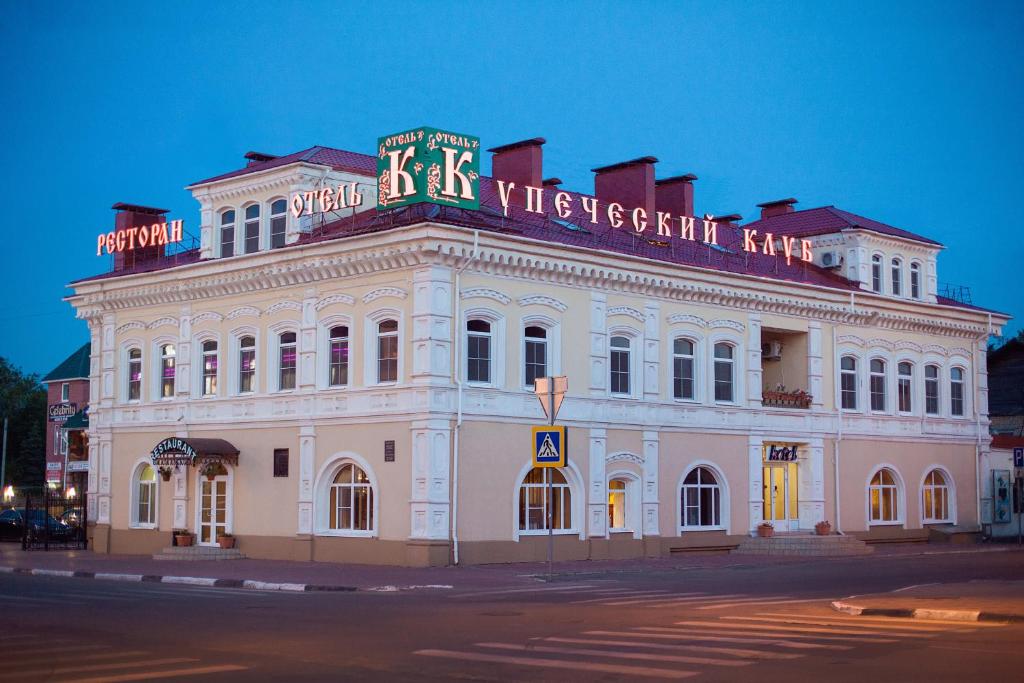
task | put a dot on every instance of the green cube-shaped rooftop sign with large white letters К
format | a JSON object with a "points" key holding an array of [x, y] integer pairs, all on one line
{"points": [[429, 165]]}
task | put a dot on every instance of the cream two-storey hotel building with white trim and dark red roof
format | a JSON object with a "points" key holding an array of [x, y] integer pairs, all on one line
{"points": [[354, 383]]}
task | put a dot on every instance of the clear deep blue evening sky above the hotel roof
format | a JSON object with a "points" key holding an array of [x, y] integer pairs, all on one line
{"points": [[907, 113]]}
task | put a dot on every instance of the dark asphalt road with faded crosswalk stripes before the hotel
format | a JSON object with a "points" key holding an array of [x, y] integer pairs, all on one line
{"points": [[746, 622]]}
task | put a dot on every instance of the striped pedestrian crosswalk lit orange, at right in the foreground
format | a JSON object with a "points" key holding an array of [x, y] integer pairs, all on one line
{"points": [[680, 649]]}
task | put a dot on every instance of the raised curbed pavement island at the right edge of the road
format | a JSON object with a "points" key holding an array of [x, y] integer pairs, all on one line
{"points": [[970, 602]]}
